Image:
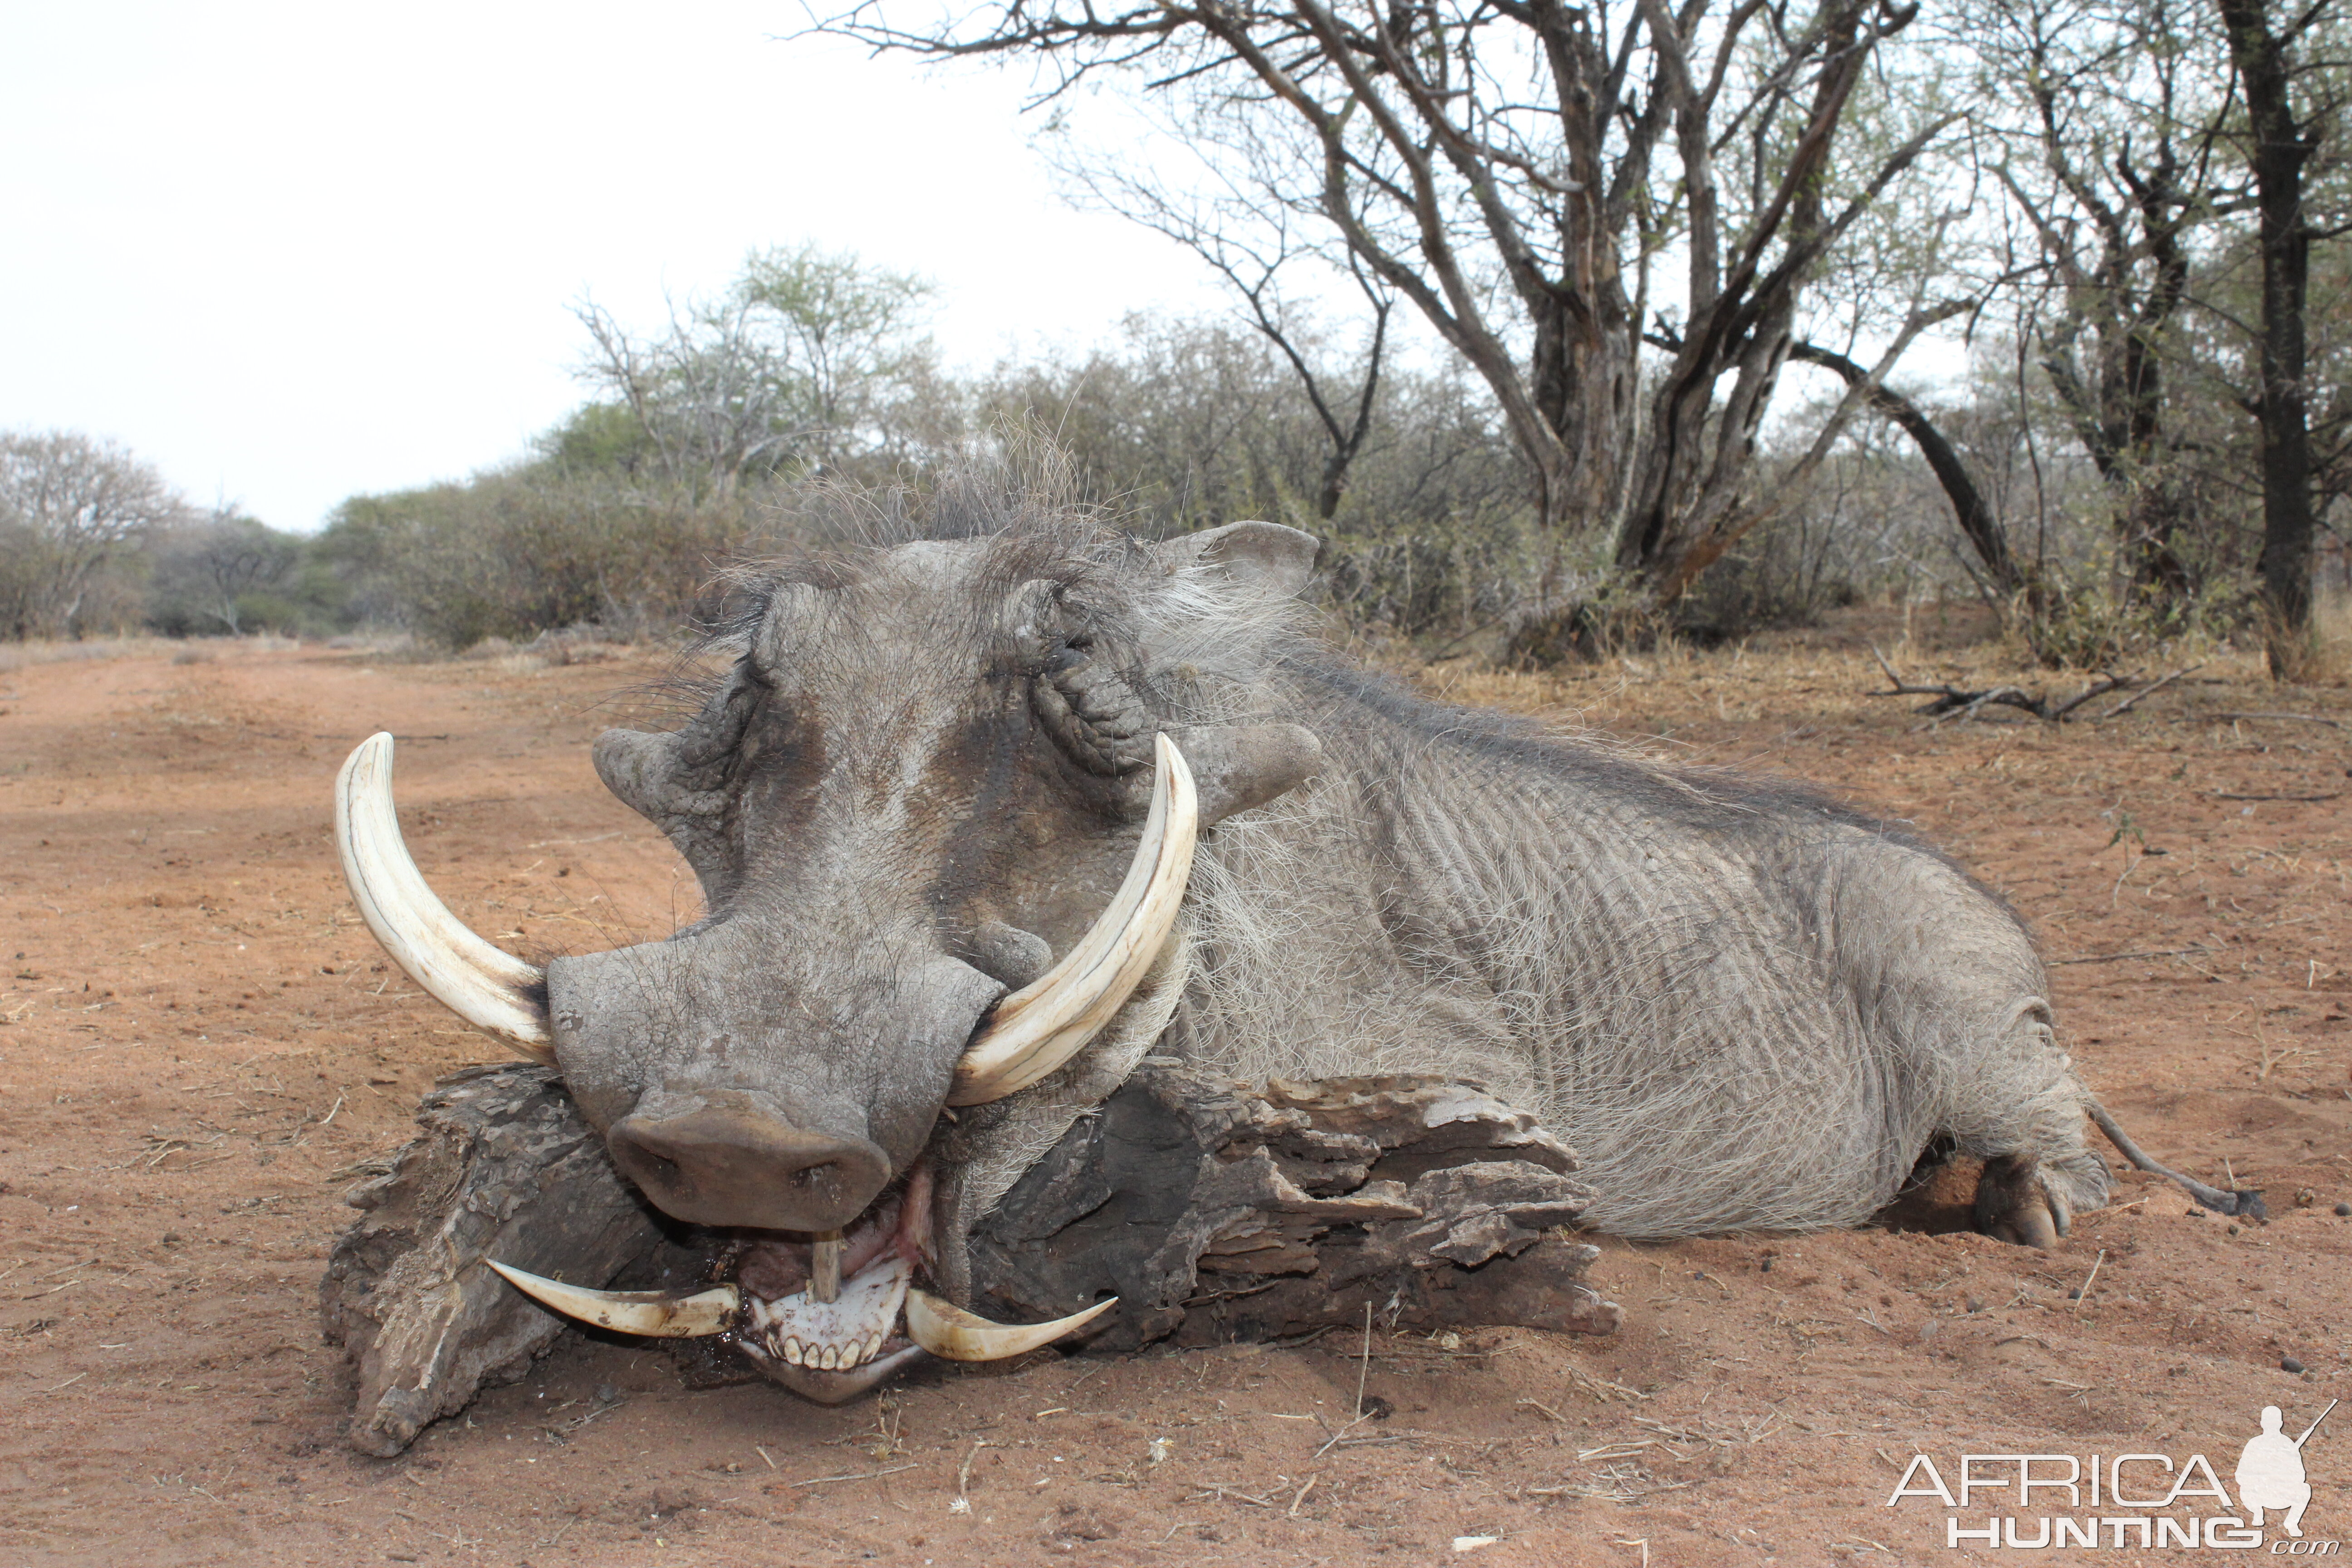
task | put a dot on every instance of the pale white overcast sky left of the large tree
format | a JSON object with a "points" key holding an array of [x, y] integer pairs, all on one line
{"points": [[293, 253]]}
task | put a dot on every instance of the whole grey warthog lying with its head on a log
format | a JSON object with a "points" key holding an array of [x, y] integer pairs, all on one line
{"points": [[1001, 800]]}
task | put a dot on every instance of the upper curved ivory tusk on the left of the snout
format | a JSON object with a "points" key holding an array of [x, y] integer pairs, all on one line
{"points": [[481, 984]]}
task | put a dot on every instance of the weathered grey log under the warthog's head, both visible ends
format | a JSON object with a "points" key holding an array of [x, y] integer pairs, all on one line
{"points": [[1210, 1209]]}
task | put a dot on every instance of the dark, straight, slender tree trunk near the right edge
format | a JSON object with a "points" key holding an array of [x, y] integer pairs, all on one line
{"points": [[2280, 152]]}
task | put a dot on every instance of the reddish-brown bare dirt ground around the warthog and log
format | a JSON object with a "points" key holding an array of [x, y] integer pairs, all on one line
{"points": [[199, 1040]]}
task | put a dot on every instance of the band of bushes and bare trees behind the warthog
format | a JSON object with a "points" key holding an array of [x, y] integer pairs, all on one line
{"points": [[1617, 337]]}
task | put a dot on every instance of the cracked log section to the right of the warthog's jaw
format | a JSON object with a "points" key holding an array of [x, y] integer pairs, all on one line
{"points": [[1220, 1214]]}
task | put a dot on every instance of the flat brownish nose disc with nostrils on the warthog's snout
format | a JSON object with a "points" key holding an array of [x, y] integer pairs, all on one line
{"points": [[735, 1162]]}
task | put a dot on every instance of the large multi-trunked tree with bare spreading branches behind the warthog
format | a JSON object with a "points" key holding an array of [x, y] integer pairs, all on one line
{"points": [[1525, 173]]}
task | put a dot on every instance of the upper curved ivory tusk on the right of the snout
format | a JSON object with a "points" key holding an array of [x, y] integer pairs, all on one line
{"points": [[1053, 1019]]}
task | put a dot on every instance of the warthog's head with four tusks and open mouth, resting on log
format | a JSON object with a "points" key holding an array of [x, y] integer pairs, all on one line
{"points": [[942, 810]]}
